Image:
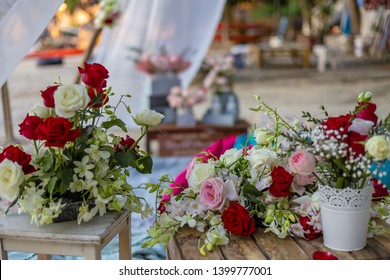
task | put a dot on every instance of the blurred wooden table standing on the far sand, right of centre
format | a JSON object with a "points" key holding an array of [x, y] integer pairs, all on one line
{"points": [[294, 50]]}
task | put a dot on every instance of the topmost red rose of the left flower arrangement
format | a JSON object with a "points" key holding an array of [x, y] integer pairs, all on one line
{"points": [[94, 75]]}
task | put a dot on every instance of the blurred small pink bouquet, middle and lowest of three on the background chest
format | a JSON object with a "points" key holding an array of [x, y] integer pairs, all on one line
{"points": [[185, 97]]}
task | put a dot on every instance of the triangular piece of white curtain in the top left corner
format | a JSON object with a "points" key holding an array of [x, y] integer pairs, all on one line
{"points": [[21, 23]]}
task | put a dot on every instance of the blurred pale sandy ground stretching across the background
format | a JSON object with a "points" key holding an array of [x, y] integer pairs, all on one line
{"points": [[287, 87]]}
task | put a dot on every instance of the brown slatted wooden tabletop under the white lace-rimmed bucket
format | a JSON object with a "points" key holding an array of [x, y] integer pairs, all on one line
{"points": [[267, 246]]}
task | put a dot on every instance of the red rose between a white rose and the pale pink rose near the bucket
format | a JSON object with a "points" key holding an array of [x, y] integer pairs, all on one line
{"points": [[281, 182]]}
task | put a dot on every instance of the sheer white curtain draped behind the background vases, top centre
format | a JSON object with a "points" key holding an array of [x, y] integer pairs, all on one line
{"points": [[177, 25]]}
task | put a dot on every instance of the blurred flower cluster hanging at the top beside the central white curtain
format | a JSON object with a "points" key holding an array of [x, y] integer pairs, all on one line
{"points": [[108, 13]]}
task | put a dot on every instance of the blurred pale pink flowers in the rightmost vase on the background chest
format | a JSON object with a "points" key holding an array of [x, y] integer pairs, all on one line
{"points": [[220, 75]]}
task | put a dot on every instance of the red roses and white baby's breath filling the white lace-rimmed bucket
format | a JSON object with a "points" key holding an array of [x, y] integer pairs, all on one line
{"points": [[345, 146]]}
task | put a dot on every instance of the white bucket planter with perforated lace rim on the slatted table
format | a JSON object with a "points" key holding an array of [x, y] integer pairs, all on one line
{"points": [[345, 215]]}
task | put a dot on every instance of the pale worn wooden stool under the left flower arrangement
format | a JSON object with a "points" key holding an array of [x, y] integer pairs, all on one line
{"points": [[66, 238]]}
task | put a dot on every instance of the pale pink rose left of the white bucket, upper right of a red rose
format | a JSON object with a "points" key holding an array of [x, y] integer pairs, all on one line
{"points": [[302, 162]]}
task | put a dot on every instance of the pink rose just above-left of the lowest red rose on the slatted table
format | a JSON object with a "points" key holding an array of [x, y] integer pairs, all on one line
{"points": [[213, 193]]}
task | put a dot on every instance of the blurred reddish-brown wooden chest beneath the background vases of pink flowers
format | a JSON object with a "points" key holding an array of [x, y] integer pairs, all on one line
{"points": [[175, 140]]}
